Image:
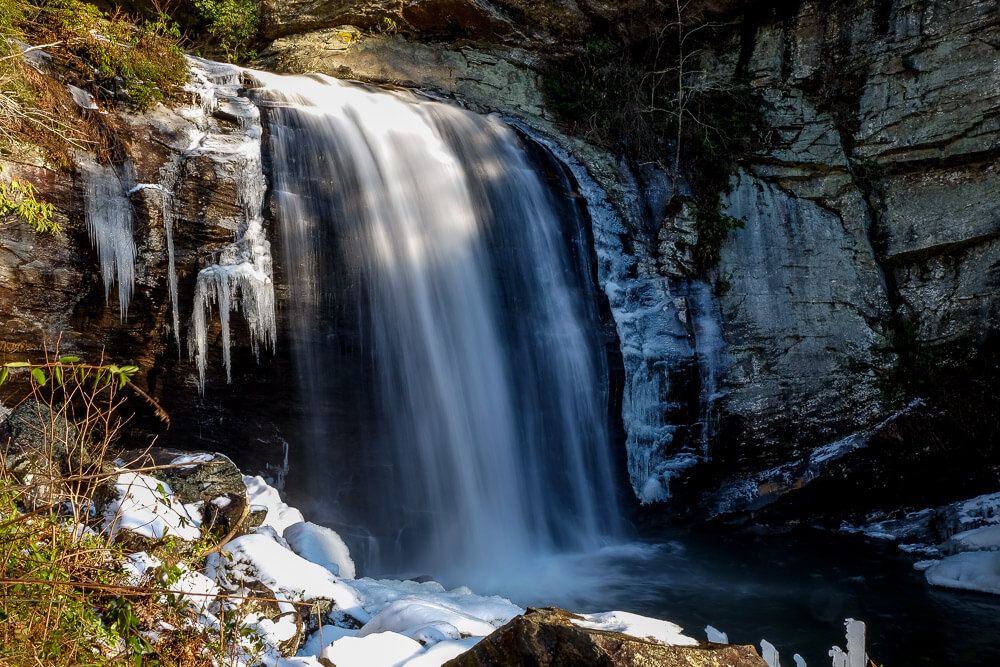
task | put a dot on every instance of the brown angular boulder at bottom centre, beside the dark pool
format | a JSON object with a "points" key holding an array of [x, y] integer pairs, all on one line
{"points": [[546, 637]]}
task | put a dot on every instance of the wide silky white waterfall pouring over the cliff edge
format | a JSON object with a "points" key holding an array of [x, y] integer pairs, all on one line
{"points": [[421, 244]]}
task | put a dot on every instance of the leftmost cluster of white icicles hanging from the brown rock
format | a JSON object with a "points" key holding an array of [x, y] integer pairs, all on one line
{"points": [[110, 225]]}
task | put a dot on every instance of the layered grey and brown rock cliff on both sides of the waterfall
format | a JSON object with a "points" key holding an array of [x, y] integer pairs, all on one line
{"points": [[865, 268]]}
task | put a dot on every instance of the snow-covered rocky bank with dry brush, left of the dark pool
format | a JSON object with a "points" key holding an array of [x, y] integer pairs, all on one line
{"points": [[196, 550]]}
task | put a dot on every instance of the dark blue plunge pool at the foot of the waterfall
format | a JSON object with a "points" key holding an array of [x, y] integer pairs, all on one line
{"points": [[794, 589]]}
